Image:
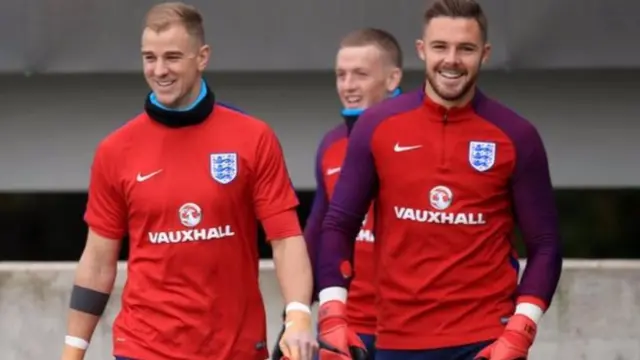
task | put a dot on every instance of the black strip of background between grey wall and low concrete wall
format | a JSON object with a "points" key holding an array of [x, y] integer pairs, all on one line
{"points": [[595, 223]]}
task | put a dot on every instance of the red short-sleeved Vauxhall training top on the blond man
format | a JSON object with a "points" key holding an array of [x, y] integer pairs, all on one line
{"points": [[188, 198]]}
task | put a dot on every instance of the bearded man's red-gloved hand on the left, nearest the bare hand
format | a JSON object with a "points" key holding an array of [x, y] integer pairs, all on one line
{"points": [[336, 340]]}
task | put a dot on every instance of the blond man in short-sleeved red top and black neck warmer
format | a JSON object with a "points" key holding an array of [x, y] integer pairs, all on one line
{"points": [[186, 180]]}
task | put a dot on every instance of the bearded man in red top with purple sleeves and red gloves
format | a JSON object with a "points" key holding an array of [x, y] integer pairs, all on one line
{"points": [[450, 172]]}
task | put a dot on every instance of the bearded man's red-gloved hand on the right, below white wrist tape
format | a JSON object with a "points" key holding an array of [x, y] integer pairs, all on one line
{"points": [[514, 343]]}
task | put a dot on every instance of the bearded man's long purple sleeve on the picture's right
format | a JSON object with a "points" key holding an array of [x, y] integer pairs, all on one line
{"points": [[534, 203]]}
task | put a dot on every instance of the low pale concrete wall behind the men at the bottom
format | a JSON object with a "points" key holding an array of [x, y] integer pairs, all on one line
{"points": [[595, 315]]}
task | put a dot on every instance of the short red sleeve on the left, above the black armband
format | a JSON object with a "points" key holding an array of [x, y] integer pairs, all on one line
{"points": [[106, 212]]}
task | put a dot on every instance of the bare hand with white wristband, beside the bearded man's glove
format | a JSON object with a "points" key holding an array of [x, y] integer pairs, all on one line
{"points": [[297, 341]]}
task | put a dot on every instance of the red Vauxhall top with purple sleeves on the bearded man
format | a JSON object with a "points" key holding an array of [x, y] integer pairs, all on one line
{"points": [[449, 187]]}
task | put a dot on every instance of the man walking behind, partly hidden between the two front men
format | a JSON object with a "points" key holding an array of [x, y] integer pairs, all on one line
{"points": [[368, 70]]}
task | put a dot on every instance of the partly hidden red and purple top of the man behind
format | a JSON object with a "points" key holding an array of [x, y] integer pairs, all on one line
{"points": [[361, 302]]}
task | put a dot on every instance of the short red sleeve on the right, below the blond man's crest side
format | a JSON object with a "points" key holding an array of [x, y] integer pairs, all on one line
{"points": [[273, 192]]}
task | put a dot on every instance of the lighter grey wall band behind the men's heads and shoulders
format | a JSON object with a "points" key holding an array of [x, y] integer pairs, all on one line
{"points": [[50, 124]]}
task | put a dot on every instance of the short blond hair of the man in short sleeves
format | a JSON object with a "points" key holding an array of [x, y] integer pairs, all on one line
{"points": [[162, 16]]}
